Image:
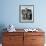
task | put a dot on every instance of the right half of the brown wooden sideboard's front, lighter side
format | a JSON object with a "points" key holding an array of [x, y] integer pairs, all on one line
{"points": [[34, 39]]}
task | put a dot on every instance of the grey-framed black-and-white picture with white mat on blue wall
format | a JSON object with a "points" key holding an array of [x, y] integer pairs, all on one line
{"points": [[26, 13]]}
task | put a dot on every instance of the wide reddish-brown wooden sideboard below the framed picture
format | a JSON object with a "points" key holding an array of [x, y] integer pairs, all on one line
{"points": [[23, 39]]}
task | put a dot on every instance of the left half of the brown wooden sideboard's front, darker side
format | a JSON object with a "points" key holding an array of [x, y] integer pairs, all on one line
{"points": [[12, 39]]}
